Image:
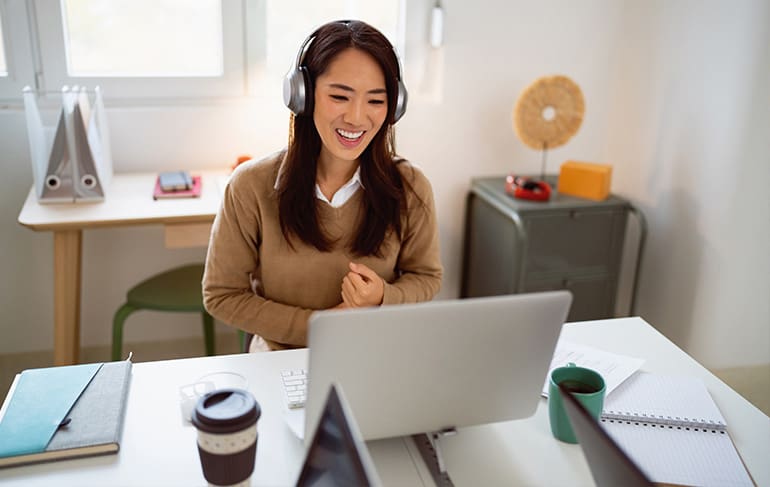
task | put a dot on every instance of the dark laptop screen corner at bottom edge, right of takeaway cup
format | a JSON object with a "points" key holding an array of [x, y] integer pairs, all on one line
{"points": [[337, 455]]}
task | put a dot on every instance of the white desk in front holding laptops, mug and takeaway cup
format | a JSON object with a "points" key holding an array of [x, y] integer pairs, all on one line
{"points": [[158, 450]]}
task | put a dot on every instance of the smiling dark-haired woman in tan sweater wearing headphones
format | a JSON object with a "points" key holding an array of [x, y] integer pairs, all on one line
{"points": [[336, 220]]}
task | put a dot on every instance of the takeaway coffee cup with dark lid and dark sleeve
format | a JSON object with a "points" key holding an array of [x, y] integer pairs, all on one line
{"points": [[226, 420]]}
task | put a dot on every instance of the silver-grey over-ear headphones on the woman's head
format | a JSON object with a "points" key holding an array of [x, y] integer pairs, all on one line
{"points": [[298, 89]]}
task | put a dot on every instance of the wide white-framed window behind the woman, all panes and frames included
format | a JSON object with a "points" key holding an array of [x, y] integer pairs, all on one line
{"points": [[169, 49]]}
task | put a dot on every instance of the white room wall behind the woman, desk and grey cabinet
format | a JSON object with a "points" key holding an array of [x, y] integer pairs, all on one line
{"points": [[677, 97]]}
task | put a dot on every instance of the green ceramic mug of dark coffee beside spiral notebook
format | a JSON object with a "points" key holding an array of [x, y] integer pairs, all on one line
{"points": [[588, 388]]}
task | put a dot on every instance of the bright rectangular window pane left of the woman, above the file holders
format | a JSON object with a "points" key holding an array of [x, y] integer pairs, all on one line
{"points": [[133, 38]]}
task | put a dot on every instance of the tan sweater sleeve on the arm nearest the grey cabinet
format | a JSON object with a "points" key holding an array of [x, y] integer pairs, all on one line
{"points": [[419, 270]]}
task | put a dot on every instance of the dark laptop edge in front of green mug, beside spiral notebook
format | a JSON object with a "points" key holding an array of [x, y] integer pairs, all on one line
{"points": [[609, 464]]}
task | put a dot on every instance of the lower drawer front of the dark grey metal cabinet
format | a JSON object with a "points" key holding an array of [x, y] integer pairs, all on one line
{"points": [[592, 297]]}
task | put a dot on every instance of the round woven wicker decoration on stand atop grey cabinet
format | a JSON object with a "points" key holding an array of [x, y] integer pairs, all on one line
{"points": [[548, 113]]}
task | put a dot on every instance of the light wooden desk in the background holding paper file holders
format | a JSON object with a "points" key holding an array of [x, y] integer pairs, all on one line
{"points": [[128, 202]]}
